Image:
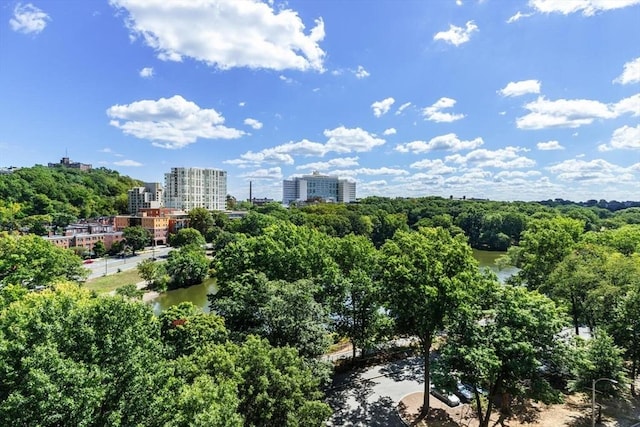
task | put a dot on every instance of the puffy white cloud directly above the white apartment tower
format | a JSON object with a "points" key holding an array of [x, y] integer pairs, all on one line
{"points": [[170, 122]]}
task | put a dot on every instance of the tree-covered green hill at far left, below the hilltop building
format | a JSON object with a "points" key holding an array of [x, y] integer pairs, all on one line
{"points": [[61, 194]]}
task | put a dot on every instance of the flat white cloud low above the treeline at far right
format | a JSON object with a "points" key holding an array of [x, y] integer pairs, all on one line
{"points": [[594, 171]]}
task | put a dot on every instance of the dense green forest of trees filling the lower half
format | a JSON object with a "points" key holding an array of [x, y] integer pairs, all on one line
{"points": [[292, 281]]}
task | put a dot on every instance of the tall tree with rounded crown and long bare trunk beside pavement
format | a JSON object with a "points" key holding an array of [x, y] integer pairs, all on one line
{"points": [[425, 276]]}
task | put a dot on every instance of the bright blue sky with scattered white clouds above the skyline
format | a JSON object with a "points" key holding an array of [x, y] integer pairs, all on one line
{"points": [[506, 100]]}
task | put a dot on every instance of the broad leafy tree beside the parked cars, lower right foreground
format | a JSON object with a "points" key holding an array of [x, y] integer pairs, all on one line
{"points": [[499, 344]]}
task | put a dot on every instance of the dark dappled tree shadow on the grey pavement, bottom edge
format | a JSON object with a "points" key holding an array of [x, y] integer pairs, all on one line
{"points": [[380, 413]]}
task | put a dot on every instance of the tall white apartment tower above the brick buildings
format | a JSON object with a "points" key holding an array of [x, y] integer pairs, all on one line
{"points": [[188, 188]]}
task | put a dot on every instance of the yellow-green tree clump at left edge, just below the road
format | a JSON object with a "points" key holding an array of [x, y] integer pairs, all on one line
{"points": [[32, 261]]}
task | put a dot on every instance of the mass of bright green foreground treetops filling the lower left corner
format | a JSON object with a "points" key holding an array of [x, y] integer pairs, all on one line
{"points": [[68, 357]]}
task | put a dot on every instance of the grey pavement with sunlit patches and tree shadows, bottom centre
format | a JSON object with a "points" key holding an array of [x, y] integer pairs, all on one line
{"points": [[369, 397]]}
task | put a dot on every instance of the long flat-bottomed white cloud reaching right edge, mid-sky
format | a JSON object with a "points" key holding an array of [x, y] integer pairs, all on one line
{"points": [[574, 113]]}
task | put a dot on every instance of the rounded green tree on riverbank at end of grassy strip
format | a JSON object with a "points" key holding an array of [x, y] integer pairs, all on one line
{"points": [[187, 266]]}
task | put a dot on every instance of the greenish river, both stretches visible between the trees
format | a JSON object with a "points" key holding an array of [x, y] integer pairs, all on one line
{"points": [[197, 294]]}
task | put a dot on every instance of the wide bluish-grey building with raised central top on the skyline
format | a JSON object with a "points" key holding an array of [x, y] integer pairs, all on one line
{"points": [[318, 187]]}
